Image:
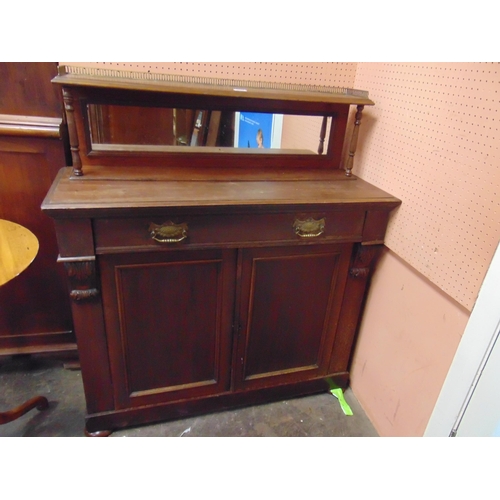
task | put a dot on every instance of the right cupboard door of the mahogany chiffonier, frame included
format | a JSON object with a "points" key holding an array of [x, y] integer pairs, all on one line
{"points": [[289, 309]]}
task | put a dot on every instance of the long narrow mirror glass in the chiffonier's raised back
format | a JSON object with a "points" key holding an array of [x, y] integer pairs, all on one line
{"points": [[139, 128]]}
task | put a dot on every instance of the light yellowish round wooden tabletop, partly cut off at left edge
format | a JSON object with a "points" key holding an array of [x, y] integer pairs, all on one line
{"points": [[18, 248]]}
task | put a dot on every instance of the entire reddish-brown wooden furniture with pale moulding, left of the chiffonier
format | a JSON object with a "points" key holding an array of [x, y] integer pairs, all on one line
{"points": [[35, 312]]}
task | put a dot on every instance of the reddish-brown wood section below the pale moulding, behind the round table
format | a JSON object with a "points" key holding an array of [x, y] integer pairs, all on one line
{"points": [[35, 305]]}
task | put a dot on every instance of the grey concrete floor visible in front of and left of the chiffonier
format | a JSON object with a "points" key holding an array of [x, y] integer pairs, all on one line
{"points": [[23, 378]]}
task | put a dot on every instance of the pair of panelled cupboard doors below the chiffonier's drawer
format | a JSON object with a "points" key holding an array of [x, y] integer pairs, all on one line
{"points": [[189, 324]]}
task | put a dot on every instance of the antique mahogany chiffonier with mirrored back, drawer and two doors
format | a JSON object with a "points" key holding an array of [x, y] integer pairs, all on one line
{"points": [[206, 271]]}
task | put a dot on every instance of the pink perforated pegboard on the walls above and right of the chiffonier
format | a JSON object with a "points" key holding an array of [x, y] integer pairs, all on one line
{"points": [[431, 139]]}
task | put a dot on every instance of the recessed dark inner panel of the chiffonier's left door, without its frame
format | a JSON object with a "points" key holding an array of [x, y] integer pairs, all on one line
{"points": [[160, 327]]}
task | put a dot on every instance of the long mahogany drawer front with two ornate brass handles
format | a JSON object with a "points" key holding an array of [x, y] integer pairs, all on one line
{"points": [[156, 232]]}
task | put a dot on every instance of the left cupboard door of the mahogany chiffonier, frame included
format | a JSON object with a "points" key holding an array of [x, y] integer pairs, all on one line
{"points": [[169, 322]]}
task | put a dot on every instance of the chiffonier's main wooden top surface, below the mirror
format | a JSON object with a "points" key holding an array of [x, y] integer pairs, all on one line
{"points": [[117, 190]]}
